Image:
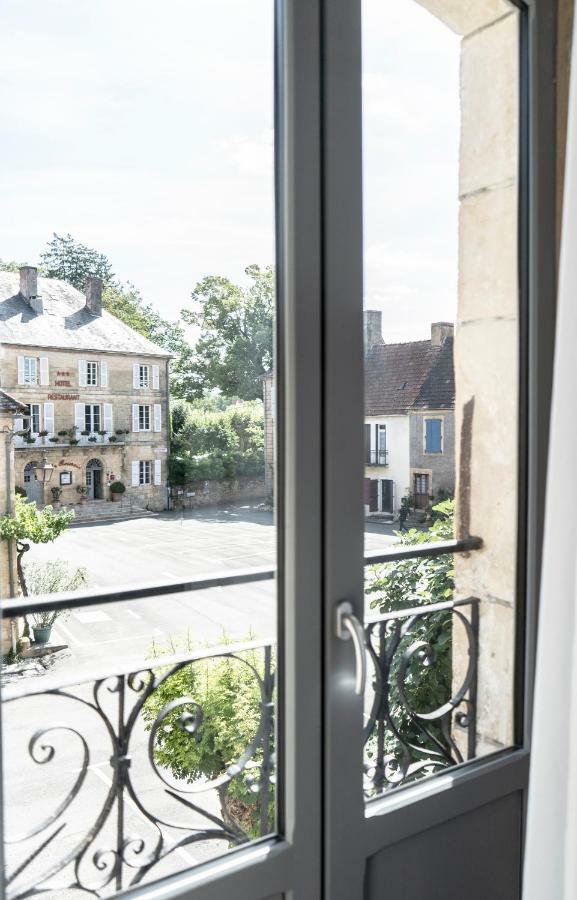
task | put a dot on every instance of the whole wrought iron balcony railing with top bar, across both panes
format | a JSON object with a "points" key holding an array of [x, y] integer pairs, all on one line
{"points": [[54, 855]]}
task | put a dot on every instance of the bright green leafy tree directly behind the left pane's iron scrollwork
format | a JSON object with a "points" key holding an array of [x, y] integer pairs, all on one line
{"points": [[227, 692]]}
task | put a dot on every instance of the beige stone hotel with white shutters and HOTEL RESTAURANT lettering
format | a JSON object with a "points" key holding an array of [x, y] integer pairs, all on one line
{"points": [[95, 392]]}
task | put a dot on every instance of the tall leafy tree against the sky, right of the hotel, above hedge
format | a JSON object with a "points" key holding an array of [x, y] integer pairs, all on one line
{"points": [[235, 345]]}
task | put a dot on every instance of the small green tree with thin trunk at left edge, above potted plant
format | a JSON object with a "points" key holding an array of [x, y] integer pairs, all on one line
{"points": [[28, 525]]}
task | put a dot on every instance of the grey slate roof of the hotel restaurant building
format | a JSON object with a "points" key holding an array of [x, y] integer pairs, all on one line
{"points": [[65, 323]]}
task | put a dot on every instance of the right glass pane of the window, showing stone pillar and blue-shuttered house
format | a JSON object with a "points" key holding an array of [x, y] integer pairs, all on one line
{"points": [[441, 376]]}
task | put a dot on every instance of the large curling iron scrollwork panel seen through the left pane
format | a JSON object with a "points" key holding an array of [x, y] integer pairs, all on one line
{"points": [[124, 861]]}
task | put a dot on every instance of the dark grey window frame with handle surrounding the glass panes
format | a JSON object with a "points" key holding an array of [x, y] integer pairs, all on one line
{"points": [[319, 264]]}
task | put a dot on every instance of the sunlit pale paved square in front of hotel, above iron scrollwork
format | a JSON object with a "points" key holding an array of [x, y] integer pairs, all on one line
{"points": [[171, 547]]}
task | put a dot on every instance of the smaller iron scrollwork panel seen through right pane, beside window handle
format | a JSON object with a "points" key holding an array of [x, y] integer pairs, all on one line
{"points": [[405, 739]]}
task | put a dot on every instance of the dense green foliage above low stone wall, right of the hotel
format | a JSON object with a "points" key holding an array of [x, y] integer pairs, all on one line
{"points": [[211, 443]]}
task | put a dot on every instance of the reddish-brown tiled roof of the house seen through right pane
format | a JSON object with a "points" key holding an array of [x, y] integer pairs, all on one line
{"points": [[415, 375]]}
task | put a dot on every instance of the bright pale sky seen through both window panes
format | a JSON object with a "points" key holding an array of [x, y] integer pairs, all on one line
{"points": [[145, 130]]}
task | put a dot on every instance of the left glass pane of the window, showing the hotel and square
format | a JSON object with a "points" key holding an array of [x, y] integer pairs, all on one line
{"points": [[138, 254]]}
